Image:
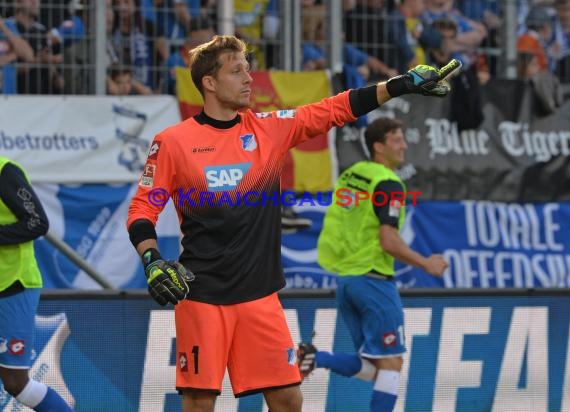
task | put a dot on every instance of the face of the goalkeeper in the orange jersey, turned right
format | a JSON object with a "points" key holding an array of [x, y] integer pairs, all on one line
{"points": [[232, 83]]}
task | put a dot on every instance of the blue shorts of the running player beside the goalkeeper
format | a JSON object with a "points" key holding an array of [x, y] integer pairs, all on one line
{"points": [[373, 313]]}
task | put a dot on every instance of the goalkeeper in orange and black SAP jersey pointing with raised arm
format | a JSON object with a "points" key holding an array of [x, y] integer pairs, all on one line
{"points": [[224, 284]]}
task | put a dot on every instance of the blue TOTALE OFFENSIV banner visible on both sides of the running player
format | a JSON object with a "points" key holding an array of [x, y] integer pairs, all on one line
{"points": [[487, 245]]}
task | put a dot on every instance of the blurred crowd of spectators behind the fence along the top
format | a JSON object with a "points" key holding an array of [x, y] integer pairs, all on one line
{"points": [[47, 46]]}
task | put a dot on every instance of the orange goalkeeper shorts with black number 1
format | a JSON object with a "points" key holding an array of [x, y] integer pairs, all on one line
{"points": [[251, 339]]}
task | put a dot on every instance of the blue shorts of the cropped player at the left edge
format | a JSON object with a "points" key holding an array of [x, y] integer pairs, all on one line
{"points": [[17, 328]]}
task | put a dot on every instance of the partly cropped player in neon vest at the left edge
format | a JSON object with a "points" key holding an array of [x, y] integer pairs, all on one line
{"points": [[22, 219]]}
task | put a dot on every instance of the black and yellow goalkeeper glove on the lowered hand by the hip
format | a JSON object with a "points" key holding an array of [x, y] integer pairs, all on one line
{"points": [[167, 280]]}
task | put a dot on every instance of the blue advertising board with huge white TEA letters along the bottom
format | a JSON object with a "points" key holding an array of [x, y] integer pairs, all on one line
{"points": [[465, 353]]}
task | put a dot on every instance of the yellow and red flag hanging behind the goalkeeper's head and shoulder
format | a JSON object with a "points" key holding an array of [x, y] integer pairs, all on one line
{"points": [[308, 166]]}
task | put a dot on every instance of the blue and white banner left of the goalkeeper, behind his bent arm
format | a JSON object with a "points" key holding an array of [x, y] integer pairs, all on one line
{"points": [[91, 219]]}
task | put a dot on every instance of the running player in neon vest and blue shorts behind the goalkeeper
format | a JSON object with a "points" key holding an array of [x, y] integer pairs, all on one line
{"points": [[359, 241]]}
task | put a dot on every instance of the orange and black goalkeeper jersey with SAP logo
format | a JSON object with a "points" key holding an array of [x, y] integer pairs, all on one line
{"points": [[223, 178]]}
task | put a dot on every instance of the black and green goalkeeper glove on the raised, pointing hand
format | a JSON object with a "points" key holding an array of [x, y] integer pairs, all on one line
{"points": [[424, 79]]}
